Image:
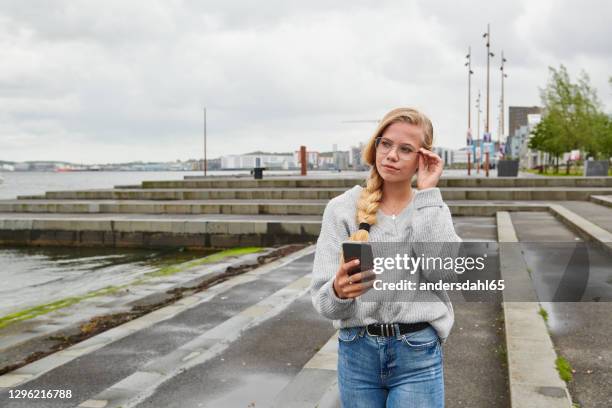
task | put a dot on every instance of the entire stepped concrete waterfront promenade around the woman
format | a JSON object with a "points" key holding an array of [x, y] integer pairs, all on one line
{"points": [[250, 337]]}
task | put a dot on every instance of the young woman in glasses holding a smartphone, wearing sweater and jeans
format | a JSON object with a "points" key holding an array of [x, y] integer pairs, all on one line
{"points": [[388, 355]]}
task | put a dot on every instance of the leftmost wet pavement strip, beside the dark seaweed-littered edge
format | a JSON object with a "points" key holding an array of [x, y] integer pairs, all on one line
{"points": [[92, 373]]}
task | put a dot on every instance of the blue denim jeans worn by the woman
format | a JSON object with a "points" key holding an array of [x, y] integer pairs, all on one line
{"points": [[401, 371]]}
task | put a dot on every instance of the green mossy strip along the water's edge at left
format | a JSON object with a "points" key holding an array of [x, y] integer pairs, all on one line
{"points": [[166, 271]]}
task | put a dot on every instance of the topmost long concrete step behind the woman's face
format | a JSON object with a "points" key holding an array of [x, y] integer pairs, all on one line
{"points": [[298, 181]]}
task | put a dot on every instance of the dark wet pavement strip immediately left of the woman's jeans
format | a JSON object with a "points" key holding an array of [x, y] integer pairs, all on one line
{"points": [[253, 369]]}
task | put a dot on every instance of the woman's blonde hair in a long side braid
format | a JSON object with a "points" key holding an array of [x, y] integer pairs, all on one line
{"points": [[371, 195]]}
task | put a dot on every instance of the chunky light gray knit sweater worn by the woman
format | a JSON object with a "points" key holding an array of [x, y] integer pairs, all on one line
{"points": [[426, 219]]}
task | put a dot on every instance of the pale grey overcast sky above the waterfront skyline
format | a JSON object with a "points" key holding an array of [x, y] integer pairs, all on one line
{"points": [[113, 81]]}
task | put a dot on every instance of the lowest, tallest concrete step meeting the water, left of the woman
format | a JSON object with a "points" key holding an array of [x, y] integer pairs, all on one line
{"points": [[156, 230]]}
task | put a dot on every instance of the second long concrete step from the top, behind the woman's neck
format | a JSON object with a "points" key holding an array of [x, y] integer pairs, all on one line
{"points": [[324, 193]]}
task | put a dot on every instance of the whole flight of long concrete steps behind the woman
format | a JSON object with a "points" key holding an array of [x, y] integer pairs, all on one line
{"points": [[227, 212]]}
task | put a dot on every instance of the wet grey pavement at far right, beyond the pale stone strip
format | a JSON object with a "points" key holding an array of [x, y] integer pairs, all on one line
{"points": [[580, 330]]}
